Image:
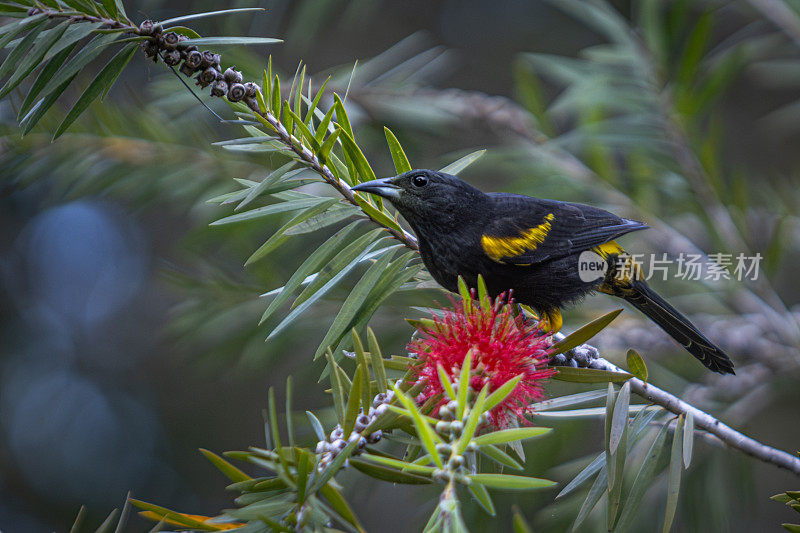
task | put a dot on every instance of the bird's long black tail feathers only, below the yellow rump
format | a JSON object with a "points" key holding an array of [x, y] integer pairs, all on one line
{"points": [[677, 326]]}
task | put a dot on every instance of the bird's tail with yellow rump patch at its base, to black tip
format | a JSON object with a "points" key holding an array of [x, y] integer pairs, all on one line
{"points": [[624, 279]]}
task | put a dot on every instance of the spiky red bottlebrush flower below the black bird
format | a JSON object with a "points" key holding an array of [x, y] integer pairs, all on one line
{"points": [[501, 348]]}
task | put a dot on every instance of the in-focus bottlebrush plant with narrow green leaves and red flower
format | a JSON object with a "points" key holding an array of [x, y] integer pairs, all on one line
{"points": [[454, 411]]}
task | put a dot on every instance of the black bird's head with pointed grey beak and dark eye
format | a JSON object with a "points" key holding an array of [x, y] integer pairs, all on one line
{"points": [[427, 197]]}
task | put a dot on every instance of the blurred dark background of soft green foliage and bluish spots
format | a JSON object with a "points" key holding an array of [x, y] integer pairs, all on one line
{"points": [[128, 326]]}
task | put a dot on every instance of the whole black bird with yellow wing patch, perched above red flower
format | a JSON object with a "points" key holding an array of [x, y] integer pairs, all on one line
{"points": [[543, 250]]}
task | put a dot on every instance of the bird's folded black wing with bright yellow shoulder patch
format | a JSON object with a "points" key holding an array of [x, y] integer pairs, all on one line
{"points": [[526, 230]]}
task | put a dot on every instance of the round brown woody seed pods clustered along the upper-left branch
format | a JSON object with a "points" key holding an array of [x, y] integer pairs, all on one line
{"points": [[204, 66]]}
